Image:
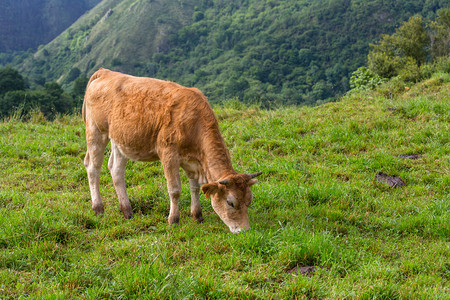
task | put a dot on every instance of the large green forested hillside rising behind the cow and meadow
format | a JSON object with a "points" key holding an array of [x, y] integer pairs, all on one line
{"points": [[288, 52]]}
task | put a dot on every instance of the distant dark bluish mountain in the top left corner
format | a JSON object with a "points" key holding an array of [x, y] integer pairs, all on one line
{"points": [[28, 23]]}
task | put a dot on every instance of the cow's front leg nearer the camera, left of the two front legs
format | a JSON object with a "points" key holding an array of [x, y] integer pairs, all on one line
{"points": [[171, 165]]}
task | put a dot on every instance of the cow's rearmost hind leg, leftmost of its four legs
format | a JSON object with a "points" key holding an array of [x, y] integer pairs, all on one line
{"points": [[96, 144]]}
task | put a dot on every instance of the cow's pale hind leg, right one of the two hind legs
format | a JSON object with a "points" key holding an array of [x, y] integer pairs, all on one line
{"points": [[116, 165]]}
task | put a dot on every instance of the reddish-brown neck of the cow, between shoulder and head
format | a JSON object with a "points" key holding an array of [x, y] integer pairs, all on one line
{"points": [[217, 162]]}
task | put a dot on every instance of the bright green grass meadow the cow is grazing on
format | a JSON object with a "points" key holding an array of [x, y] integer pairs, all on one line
{"points": [[318, 203]]}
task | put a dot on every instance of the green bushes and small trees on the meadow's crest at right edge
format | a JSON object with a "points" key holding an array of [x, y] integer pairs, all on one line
{"points": [[411, 54]]}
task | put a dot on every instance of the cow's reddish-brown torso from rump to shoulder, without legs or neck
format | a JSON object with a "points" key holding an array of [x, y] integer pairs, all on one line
{"points": [[141, 114]]}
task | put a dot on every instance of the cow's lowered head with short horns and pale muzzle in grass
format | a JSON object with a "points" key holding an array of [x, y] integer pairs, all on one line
{"points": [[230, 199]]}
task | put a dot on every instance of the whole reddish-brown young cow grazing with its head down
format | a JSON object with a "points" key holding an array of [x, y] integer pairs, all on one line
{"points": [[149, 119]]}
